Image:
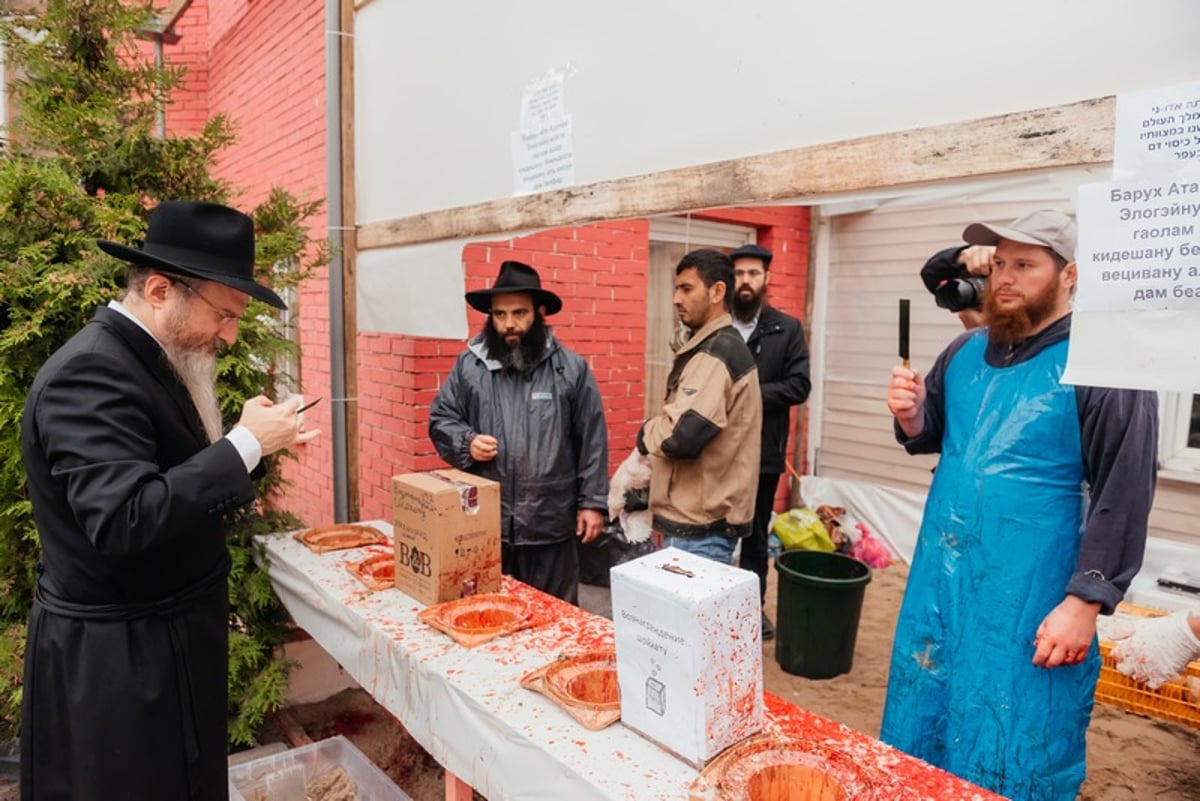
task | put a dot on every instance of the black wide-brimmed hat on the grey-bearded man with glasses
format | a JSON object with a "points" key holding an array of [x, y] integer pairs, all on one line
{"points": [[202, 240]]}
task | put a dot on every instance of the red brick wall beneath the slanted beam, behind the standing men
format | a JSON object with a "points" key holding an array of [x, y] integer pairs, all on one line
{"points": [[601, 272]]}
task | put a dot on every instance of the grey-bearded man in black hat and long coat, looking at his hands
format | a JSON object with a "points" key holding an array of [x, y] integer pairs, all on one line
{"points": [[125, 690]]}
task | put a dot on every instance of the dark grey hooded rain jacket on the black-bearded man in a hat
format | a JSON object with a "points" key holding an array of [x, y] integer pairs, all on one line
{"points": [[554, 443]]}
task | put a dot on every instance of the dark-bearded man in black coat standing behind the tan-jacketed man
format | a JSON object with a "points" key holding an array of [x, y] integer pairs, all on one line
{"points": [[777, 342]]}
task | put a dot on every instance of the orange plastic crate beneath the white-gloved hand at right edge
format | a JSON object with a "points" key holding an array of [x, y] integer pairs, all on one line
{"points": [[1178, 701]]}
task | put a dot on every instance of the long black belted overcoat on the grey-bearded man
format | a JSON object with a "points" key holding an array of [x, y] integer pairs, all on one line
{"points": [[125, 690]]}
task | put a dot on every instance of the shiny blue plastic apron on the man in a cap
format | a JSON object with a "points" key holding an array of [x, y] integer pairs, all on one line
{"points": [[998, 546]]}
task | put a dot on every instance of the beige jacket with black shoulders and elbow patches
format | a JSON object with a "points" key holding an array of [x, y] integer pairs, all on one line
{"points": [[707, 439]]}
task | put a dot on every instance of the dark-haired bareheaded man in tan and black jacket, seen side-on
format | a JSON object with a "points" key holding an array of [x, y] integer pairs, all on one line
{"points": [[707, 439]]}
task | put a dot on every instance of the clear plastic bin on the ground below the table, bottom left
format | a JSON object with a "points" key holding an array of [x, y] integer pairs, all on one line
{"points": [[284, 778]]}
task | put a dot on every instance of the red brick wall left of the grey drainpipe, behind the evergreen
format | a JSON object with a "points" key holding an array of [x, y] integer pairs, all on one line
{"points": [[267, 71]]}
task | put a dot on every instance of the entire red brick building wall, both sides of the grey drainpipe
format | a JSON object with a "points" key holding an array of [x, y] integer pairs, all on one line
{"points": [[263, 65]]}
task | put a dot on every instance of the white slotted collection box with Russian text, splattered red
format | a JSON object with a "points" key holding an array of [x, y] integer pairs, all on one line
{"points": [[689, 653]]}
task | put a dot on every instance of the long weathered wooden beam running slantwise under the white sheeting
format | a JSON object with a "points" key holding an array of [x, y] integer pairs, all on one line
{"points": [[1063, 136]]}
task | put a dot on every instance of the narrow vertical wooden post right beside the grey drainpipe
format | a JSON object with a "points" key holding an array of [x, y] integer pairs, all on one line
{"points": [[349, 263]]}
